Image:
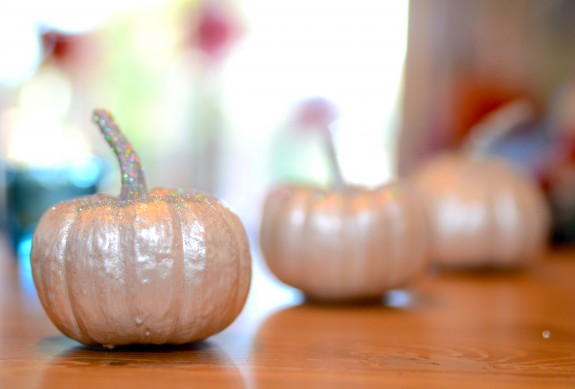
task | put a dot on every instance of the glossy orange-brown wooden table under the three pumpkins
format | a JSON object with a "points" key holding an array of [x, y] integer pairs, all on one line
{"points": [[453, 330]]}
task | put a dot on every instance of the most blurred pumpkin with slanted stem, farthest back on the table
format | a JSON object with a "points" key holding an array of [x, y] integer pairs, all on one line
{"points": [[483, 211]]}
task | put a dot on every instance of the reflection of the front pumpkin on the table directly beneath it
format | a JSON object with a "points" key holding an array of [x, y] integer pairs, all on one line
{"points": [[151, 365]]}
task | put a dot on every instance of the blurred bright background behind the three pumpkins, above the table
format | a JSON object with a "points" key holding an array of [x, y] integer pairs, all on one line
{"points": [[210, 93]]}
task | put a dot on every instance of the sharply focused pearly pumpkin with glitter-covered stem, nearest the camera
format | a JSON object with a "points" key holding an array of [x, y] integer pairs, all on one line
{"points": [[158, 267]]}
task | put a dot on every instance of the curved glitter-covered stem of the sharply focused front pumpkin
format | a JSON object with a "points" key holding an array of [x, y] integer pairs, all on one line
{"points": [[133, 178]]}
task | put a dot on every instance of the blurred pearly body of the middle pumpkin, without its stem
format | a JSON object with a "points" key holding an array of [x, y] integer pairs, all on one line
{"points": [[344, 244]]}
